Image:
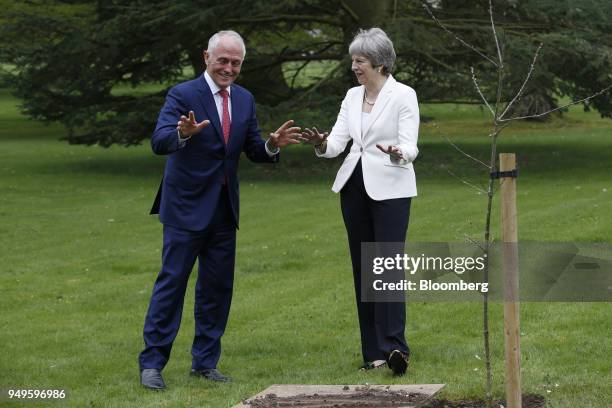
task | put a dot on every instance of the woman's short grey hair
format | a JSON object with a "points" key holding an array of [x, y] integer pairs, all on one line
{"points": [[376, 47]]}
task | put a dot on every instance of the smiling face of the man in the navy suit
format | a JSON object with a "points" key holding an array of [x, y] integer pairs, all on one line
{"points": [[224, 62]]}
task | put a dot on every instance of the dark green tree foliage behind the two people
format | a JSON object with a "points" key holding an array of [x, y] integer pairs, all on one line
{"points": [[102, 67]]}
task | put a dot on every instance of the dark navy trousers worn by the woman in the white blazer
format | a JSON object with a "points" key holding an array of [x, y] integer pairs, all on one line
{"points": [[381, 324]]}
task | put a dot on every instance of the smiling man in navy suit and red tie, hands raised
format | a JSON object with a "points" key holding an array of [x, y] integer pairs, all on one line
{"points": [[198, 204]]}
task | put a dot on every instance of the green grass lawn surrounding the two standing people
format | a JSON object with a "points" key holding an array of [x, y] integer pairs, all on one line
{"points": [[80, 254]]}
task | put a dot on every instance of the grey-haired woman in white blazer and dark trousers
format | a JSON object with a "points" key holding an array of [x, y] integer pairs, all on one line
{"points": [[376, 182]]}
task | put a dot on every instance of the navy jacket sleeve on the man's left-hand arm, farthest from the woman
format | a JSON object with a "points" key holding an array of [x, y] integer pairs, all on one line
{"points": [[165, 138]]}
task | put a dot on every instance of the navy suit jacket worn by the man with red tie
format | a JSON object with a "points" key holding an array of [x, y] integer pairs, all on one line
{"points": [[189, 191]]}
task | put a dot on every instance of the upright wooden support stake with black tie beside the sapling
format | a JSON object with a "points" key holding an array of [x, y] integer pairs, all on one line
{"points": [[507, 162]]}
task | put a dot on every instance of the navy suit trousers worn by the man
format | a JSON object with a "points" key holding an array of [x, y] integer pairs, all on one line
{"points": [[215, 250]]}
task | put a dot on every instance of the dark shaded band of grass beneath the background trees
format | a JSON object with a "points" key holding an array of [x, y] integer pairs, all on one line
{"points": [[299, 165]]}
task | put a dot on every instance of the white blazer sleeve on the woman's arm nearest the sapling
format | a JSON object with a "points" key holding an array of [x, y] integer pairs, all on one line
{"points": [[408, 128]]}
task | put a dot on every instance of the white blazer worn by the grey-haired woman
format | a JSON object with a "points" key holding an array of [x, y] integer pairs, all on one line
{"points": [[394, 120]]}
